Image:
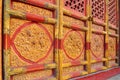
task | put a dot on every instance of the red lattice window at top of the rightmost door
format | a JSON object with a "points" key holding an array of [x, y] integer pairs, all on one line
{"points": [[112, 12]]}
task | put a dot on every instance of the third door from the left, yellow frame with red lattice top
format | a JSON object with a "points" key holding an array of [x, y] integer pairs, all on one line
{"points": [[98, 35]]}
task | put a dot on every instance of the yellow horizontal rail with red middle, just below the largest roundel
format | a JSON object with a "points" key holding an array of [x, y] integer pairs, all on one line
{"points": [[30, 68]]}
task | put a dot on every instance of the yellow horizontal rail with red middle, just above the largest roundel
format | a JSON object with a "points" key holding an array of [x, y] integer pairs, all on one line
{"points": [[31, 17]]}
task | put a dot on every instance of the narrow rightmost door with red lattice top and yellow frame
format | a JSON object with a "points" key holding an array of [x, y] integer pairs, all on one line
{"points": [[113, 34]]}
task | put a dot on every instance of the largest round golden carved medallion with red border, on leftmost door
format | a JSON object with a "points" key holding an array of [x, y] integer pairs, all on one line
{"points": [[31, 42]]}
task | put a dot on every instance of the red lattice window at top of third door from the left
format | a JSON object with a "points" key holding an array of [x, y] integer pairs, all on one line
{"points": [[98, 9]]}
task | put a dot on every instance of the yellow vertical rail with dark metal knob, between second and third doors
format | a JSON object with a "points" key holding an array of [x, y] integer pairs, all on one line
{"points": [[88, 45]]}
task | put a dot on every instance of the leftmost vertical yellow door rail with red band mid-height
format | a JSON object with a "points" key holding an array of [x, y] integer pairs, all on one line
{"points": [[6, 53]]}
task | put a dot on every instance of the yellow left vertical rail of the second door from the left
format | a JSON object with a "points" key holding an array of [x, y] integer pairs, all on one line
{"points": [[60, 36]]}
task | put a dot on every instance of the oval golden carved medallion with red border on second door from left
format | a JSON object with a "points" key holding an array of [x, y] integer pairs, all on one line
{"points": [[73, 44]]}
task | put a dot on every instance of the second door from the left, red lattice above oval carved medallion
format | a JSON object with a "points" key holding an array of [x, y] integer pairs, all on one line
{"points": [[75, 37]]}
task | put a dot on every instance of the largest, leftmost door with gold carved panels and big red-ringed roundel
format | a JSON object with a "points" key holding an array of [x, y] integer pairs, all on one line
{"points": [[29, 34]]}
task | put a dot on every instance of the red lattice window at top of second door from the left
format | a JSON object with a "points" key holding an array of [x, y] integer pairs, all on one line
{"points": [[76, 5]]}
